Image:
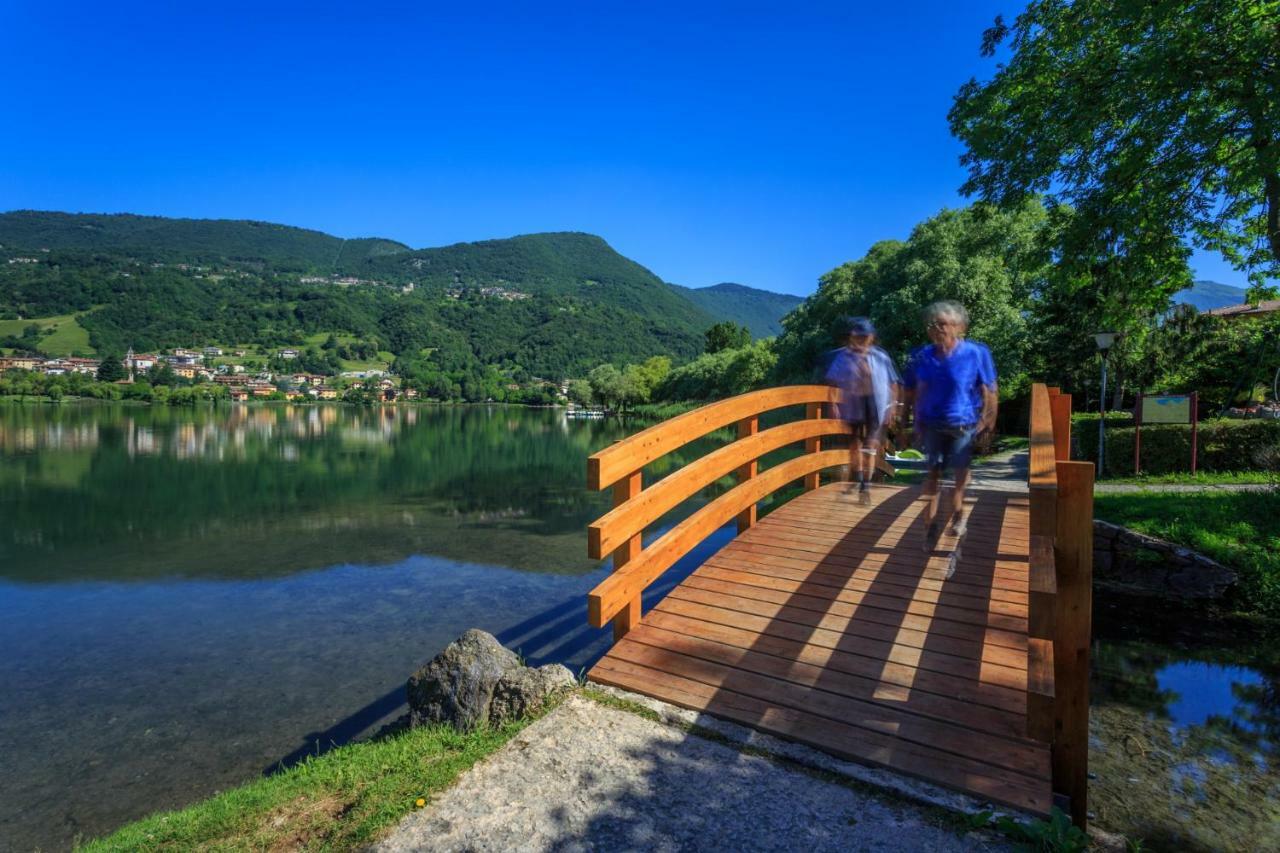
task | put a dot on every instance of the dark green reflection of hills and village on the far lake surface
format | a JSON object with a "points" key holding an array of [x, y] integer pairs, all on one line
{"points": [[122, 492]]}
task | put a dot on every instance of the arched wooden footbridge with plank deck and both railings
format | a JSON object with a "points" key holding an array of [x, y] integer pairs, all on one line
{"points": [[830, 623]]}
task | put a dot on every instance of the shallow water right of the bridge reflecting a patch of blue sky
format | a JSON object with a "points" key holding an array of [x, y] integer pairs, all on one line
{"points": [[1185, 722]]}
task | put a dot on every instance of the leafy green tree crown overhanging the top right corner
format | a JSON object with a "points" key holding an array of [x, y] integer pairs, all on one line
{"points": [[1155, 121]]}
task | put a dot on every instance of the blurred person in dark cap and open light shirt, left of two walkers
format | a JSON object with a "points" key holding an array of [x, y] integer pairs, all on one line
{"points": [[871, 385]]}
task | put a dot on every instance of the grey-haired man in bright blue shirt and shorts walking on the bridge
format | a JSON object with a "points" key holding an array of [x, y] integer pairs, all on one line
{"points": [[954, 381]]}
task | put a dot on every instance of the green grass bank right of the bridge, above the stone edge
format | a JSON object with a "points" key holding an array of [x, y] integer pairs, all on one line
{"points": [[1240, 530]]}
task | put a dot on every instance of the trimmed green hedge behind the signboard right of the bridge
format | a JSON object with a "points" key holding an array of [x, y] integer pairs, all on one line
{"points": [[1224, 445]]}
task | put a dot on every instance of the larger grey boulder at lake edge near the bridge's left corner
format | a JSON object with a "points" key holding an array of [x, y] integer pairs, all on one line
{"points": [[458, 686]]}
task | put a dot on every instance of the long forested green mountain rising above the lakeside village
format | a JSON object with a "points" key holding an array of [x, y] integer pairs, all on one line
{"points": [[540, 305]]}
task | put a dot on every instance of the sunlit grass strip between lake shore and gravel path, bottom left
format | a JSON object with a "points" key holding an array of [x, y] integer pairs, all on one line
{"points": [[342, 800]]}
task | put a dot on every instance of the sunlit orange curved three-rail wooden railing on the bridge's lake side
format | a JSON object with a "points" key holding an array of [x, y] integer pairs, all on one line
{"points": [[619, 532]]}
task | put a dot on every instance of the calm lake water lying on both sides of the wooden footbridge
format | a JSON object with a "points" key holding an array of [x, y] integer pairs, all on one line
{"points": [[190, 599]]}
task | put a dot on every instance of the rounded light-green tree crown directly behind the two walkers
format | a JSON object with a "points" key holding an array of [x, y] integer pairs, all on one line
{"points": [[991, 262]]}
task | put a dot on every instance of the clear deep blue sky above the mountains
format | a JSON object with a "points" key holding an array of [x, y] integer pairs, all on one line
{"points": [[755, 143]]}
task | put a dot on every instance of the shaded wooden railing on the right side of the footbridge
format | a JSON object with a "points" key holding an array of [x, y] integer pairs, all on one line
{"points": [[1060, 597]]}
